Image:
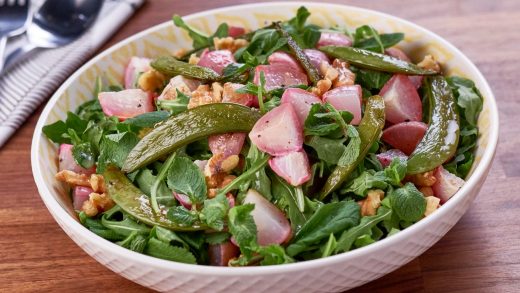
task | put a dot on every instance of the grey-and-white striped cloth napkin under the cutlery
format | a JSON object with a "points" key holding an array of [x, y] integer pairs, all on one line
{"points": [[28, 84]]}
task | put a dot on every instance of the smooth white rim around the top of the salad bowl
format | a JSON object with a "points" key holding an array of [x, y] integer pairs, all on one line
{"points": [[62, 216]]}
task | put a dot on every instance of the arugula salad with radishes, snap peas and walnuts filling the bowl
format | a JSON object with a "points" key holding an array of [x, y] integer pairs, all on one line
{"points": [[288, 143]]}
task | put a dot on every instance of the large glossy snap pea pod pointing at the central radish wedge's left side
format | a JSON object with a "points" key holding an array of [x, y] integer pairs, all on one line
{"points": [[187, 127]]}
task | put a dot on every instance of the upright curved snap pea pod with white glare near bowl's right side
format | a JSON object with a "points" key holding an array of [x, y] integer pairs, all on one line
{"points": [[442, 136]]}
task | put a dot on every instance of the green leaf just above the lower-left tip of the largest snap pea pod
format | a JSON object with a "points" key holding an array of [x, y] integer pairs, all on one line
{"points": [[114, 149]]}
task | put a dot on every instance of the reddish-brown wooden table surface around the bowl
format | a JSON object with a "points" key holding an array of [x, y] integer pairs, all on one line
{"points": [[481, 253]]}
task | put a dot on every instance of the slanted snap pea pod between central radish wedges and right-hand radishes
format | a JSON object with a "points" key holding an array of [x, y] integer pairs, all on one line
{"points": [[369, 131]]}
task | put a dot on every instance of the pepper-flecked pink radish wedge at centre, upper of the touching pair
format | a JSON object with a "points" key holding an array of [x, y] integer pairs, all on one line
{"points": [[278, 132]]}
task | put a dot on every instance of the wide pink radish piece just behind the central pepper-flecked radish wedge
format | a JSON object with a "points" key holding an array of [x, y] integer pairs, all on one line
{"points": [[280, 75]]}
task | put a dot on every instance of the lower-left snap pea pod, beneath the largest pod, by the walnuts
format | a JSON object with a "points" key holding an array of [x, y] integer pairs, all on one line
{"points": [[133, 201]]}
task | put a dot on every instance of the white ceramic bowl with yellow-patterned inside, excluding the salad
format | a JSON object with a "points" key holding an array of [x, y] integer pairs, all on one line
{"points": [[334, 273]]}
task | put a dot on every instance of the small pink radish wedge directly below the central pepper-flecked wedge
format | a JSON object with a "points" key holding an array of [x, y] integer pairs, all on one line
{"points": [[293, 167]]}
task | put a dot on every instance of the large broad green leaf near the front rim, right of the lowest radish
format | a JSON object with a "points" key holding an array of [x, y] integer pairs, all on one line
{"points": [[329, 218]]}
